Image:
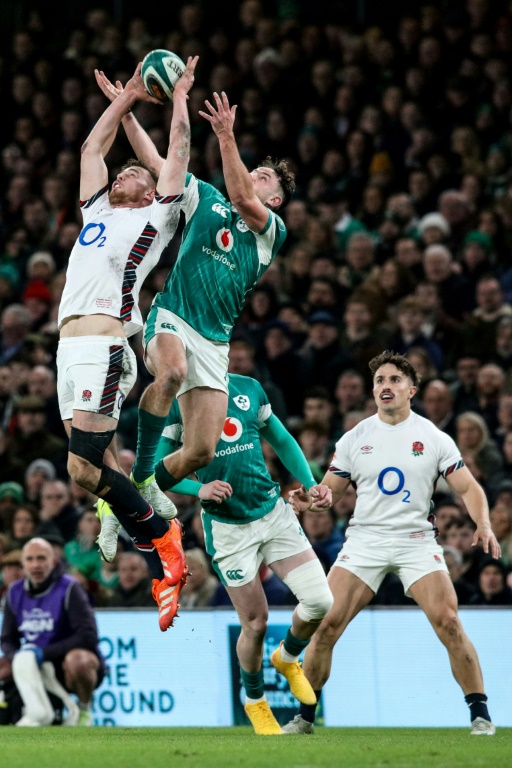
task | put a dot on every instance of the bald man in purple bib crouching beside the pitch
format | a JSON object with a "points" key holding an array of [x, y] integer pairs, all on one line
{"points": [[57, 656]]}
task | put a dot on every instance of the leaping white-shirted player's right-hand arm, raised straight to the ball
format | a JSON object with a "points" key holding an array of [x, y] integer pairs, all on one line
{"points": [[171, 180]]}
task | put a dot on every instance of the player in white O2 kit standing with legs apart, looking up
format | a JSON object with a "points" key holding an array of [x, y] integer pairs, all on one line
{"points": [[394, 458]]}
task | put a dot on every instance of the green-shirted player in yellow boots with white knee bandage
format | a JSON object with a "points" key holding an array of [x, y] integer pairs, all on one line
{"points": [[246, 522]]}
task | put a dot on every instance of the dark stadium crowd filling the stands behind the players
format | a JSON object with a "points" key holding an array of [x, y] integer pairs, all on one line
{"points": [[399, 237]]}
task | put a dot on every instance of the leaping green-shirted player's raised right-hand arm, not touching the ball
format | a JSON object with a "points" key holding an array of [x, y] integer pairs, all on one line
{"points": [[238, 180]]}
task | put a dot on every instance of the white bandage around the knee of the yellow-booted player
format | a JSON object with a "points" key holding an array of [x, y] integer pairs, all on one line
{"points": [[309, 584]]}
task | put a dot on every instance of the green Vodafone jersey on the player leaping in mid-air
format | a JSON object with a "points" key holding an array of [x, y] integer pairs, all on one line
{"points": [[219, 261]]}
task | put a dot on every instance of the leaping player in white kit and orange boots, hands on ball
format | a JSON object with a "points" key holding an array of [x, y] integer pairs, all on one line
{"points": [[125, 230]]}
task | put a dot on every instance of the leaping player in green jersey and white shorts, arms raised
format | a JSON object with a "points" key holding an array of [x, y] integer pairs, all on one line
{"points": [[227, 245]]}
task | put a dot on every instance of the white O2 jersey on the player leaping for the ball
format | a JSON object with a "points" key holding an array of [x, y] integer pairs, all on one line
{"points": [[114, 253]]}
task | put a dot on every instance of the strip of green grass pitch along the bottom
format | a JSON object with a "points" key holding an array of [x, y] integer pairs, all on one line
{"points": [[239, 748]]}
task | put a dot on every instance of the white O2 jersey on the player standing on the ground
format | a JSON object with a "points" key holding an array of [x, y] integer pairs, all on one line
{"points": [[394, 469]]}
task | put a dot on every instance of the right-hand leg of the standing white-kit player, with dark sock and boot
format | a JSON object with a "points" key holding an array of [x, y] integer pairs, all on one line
{"points": [[436, 596]]}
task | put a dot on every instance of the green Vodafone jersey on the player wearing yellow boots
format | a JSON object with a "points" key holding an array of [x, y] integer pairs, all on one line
{"points": [[238, 456]]}
